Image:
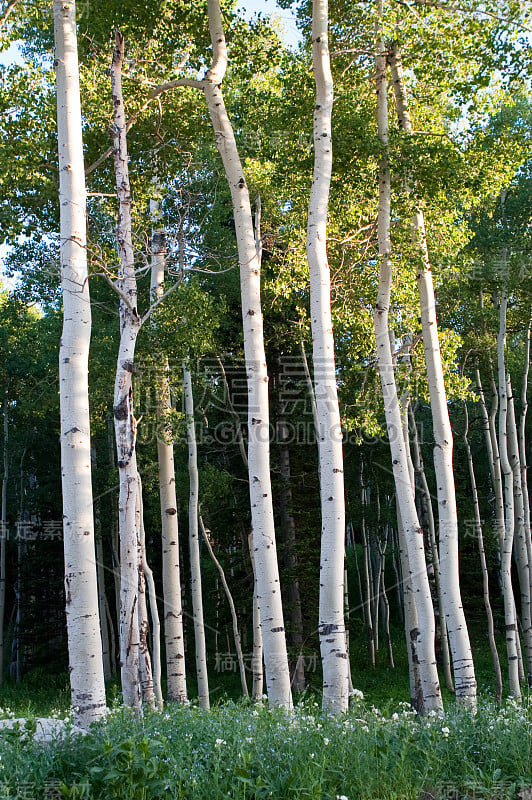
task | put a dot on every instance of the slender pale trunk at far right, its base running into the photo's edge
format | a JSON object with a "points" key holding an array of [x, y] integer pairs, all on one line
{"points": [[522, 547]]}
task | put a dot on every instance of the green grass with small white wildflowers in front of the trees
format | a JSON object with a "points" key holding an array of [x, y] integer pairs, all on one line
{"points": [[246, 753]]}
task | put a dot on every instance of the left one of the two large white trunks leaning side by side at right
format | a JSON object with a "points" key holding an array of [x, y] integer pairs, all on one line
{"points": [[415, 571]]}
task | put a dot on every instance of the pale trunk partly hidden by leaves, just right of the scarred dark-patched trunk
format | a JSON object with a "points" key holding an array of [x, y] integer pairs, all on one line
{"points": [[173, 608]]}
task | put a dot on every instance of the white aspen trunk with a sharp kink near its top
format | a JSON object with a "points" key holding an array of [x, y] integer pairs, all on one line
{"points": [[265, 553]]}
